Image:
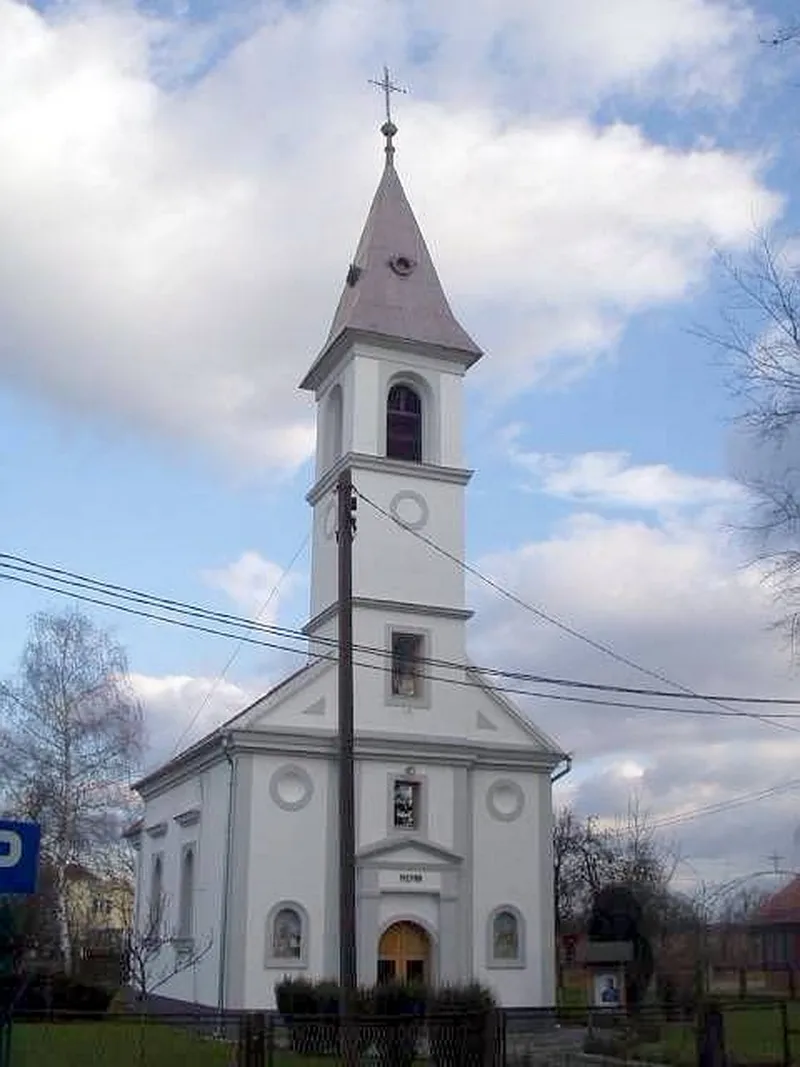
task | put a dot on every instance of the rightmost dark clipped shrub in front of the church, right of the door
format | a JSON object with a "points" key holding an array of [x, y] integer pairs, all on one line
{"points": [[462, 1026]]}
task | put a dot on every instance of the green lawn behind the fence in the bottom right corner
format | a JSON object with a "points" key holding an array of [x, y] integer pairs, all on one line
{"points": [[754, 1036]]}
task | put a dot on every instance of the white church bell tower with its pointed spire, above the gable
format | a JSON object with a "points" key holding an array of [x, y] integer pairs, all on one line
{"points": [[389, 391]]}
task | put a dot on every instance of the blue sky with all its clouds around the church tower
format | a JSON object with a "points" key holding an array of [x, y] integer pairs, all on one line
{"points": [[186, 189]]}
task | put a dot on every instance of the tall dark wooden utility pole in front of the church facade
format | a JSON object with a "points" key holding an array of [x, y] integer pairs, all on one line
{"points": [[346, 530]]}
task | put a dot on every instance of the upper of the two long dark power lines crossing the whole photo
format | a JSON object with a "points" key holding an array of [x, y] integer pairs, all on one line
{"points": [[130, 594]]}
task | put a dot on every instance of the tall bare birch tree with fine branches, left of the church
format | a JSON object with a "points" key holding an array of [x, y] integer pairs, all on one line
{"points": [[71, 736]]}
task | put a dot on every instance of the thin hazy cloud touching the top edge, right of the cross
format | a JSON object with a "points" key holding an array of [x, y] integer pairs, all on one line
{"points": [[674, 50]]}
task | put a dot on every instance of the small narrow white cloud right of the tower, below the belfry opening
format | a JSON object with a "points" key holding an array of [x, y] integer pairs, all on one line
{"points": [[613, 481]]}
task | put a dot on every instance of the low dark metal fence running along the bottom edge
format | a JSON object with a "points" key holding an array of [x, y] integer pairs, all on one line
{"points": [[738, 1034]]}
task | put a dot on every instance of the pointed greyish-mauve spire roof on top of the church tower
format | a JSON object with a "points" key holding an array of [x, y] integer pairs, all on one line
{"points": [[393, 290]]}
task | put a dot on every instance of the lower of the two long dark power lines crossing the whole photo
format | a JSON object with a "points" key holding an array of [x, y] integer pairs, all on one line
{"points": [[514, 691]]}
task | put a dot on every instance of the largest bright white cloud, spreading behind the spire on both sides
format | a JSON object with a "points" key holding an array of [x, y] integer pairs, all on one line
{"points": [[173, 258]]}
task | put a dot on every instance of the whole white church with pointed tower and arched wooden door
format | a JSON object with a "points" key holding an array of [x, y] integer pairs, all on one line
{"points": [[238, 846]]}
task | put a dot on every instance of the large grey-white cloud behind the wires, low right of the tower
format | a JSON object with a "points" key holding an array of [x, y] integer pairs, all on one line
{"points": [[673, 597]]}
